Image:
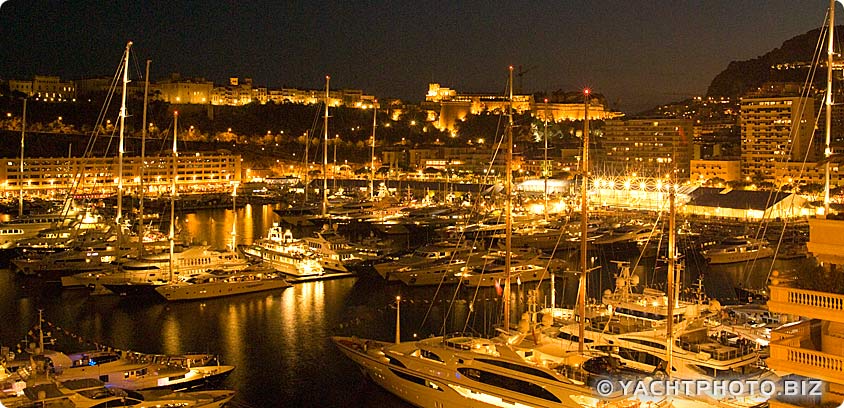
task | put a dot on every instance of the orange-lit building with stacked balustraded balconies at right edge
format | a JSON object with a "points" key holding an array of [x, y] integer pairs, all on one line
{"points": [[813, 348]]}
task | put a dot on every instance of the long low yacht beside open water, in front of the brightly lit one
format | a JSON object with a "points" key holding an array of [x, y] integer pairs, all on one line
{"points": [[216, 284]]}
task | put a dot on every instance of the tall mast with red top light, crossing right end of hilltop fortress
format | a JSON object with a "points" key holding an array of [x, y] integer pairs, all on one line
{"points": [[584, 221]]}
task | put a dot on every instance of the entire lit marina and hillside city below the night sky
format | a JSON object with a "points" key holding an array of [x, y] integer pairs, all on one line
{"points": [[698, 243]]}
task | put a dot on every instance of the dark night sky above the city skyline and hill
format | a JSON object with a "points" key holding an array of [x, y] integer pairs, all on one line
{"points": [[637, 53]]}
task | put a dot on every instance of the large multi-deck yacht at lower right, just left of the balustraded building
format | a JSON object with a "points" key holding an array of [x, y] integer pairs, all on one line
{"points": [[634, 330]]}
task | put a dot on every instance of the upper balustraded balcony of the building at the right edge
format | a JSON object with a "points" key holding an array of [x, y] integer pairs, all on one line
{"points": [[807, 303]]}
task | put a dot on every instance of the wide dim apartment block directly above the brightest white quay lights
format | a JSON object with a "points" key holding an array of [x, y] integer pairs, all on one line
{"points": [[647, 147]]}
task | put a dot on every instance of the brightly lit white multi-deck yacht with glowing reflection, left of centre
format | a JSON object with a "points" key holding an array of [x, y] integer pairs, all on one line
{"points": [[287, 255]]}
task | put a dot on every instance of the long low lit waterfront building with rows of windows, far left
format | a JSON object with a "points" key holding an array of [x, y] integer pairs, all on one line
{"points": [[58, 176]]}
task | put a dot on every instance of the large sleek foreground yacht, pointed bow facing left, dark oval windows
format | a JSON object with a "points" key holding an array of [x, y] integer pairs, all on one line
{"points": [[473, 372]]}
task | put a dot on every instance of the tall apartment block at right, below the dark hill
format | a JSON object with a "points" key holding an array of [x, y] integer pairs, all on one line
{"points": [[775, 130]]}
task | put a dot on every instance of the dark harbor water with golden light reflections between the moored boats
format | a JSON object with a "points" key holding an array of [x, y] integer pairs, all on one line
{"points": [[280, 341]]}
